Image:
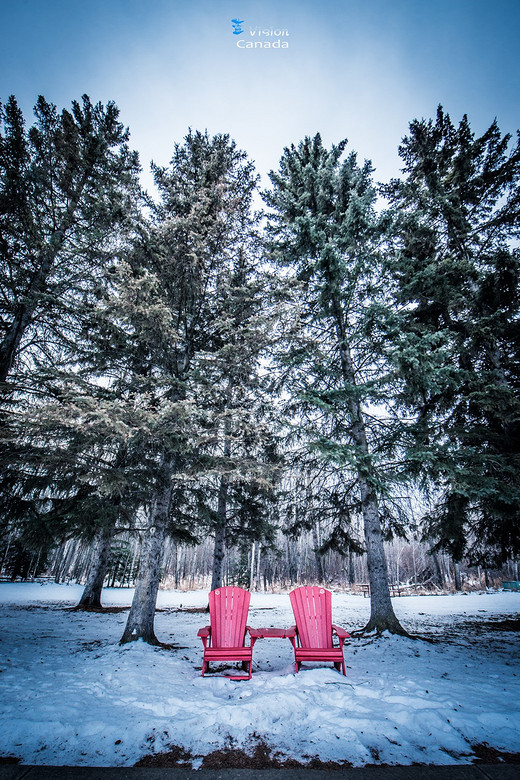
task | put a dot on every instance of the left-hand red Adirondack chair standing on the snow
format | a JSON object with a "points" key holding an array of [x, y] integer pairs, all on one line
{"points": [[224, 639]]}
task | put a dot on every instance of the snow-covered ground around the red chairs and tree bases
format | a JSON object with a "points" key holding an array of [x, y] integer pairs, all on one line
{"points": [[71, 695]]}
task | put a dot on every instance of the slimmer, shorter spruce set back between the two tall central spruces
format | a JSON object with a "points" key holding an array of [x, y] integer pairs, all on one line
{"points": [[235, 396]]}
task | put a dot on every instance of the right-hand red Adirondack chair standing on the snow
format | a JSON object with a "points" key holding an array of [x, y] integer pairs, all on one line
{"points": [[313, 636]]}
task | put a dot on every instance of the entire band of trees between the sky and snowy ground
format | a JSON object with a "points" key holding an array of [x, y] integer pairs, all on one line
{"points": [[180, 369]]}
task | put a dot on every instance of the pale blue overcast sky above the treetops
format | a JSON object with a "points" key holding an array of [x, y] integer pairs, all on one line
{"points": [[360, 69]]}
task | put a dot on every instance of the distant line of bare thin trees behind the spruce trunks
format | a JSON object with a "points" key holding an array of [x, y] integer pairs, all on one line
{"points": [[289, 562]]}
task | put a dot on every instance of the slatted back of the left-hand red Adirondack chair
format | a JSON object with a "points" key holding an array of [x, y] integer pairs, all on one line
{"points": [[228, 608]]}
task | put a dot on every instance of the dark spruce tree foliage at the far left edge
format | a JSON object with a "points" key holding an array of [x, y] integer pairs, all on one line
{"points": [[68, 198]]}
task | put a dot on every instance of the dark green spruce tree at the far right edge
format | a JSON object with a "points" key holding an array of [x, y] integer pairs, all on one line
{"points": [[456, 338]]}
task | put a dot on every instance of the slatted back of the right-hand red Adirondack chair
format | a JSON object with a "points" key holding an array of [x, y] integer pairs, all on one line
{"points": [[312, 607]]}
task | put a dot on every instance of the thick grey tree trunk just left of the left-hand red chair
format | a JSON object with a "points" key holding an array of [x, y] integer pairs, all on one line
{"points": [[140, 623]]}
